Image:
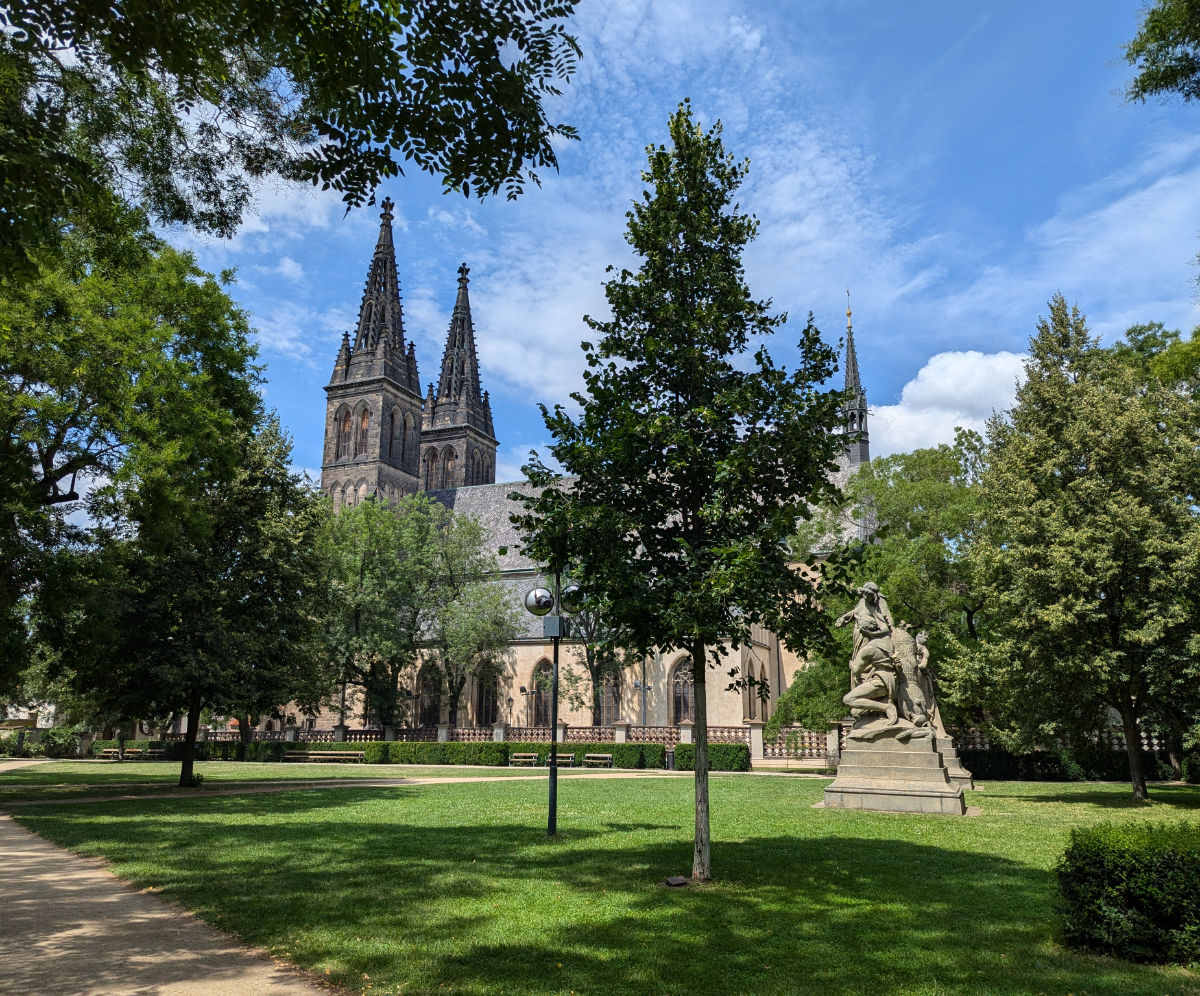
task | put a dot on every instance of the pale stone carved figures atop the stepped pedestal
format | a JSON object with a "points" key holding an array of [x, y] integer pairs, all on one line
{"points": [[879, 670]]}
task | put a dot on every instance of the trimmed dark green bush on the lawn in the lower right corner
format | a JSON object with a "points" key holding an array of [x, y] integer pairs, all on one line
{"points": [[1133, 892]]}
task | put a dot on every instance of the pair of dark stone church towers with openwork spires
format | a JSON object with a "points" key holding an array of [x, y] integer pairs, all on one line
{"points": [[382, 440]]}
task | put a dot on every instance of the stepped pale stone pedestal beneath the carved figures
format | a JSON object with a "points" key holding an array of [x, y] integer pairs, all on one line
{"points": [[893, 770]]}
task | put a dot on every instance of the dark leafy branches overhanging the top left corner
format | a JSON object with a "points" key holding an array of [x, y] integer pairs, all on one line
{"points": [[181, 107]]}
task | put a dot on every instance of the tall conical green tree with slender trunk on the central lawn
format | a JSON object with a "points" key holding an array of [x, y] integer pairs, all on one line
{"points": [[691, 465]]}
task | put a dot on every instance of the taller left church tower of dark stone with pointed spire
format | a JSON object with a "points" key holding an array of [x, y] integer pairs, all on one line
{"points": [[374, 399]]}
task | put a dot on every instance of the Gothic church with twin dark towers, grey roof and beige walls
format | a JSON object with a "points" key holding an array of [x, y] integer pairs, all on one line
{"points": [[385, 440]]}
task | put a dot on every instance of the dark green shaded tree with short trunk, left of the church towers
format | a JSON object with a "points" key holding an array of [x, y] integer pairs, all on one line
{"points": [[201, 595]]}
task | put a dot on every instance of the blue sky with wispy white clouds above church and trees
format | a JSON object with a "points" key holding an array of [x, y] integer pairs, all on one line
{"points": [[952, 164]]}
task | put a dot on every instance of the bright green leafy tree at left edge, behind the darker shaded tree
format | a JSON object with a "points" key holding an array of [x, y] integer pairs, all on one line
{"points": [[122, 347]]}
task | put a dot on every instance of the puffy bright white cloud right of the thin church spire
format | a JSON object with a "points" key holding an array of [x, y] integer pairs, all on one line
{"points": [[951, 391]]}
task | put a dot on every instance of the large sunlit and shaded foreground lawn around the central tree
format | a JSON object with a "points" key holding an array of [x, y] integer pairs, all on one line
{"points": [[457, 889]]}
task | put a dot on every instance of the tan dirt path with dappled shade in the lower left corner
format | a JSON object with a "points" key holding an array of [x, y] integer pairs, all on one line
{"points": [[70, 927]]}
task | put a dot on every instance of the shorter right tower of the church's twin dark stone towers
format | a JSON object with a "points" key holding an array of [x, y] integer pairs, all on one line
{"points": [[458, 439]]}
